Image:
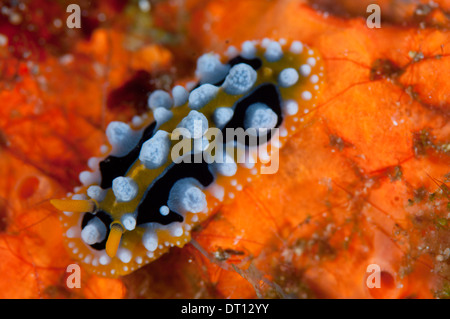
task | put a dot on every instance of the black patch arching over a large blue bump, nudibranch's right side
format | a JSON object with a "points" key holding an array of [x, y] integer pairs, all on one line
{"points": [[265, 93]]}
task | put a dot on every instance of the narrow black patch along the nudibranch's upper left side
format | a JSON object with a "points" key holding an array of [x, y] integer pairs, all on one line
{"points": [[113, 166]]}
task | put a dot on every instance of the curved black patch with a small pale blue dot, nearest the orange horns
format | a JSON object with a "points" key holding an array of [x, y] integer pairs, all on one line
{"points": [[158, 193]]}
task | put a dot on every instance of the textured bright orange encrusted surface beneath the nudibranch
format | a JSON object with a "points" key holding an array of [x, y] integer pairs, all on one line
{"points": [[363, 183]]}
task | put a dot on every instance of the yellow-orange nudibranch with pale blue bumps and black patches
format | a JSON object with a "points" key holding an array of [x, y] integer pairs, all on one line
{"points": [[165, 172]]}
